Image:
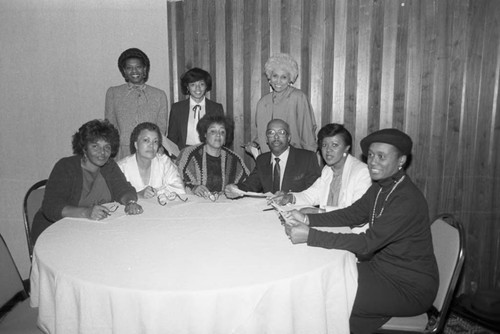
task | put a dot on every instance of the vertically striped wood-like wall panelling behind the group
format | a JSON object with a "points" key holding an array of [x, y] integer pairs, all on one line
{"points": [[428, 67]]}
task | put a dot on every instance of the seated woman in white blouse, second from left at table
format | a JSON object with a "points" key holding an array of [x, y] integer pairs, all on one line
{"points": [[149, 172]]}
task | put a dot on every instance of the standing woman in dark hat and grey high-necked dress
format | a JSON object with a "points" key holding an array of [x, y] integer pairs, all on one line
{"points": [[134, 102]]}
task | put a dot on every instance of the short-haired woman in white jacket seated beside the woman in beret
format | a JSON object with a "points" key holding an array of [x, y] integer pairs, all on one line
{"points": [[343, 180]]}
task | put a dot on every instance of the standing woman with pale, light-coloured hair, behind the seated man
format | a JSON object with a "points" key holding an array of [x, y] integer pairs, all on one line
{"points": [[284, 102]]}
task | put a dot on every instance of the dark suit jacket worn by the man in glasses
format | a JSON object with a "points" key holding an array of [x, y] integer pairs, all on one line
{"points": [[301, 171]]}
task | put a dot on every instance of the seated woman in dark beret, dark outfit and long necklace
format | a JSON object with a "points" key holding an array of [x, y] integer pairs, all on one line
{"points": [[397, 271]]}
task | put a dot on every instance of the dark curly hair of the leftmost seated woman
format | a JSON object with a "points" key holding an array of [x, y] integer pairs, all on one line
{"points": [[95, 130]]}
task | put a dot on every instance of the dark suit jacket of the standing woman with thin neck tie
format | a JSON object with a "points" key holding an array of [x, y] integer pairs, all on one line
{"points": [[178, 119]]}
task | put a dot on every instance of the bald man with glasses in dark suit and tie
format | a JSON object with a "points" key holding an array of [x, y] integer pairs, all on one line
{"points": [[285, 168]]}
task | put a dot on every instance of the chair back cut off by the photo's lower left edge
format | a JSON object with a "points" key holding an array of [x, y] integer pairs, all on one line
{"points": [[11, 284]]}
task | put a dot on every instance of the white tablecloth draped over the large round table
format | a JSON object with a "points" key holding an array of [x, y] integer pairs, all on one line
{"points": [[194, 267]]}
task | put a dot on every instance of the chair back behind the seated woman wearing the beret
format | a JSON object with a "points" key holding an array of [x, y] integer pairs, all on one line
{"points": [[448, 240]]}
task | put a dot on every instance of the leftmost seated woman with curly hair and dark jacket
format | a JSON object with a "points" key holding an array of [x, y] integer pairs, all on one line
{"points": [[78, 185]]}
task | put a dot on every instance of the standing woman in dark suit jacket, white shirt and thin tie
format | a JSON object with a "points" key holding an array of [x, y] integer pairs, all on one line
{"points": [[184, 115]]}
